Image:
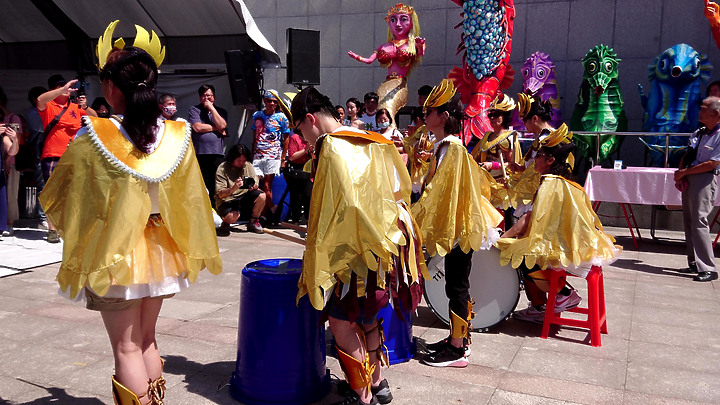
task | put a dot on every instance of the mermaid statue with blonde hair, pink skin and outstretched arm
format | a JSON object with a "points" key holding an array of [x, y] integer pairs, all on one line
{"points": [[400, 54]]}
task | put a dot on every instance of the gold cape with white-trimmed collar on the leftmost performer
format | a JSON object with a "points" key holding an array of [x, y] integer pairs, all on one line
{"points": [[97, 198]]}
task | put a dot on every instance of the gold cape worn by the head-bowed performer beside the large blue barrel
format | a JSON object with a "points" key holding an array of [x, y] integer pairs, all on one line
{"points": [[353, 225]]}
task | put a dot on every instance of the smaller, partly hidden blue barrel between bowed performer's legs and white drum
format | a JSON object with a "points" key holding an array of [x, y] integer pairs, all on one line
{"points": [[398, 335]]}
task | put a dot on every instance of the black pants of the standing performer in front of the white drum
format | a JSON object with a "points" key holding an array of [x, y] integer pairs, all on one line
{"points": [[457, 280]]}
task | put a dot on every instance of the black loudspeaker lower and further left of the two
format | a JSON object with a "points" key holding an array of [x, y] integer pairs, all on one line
{"points": [[242, 68]]}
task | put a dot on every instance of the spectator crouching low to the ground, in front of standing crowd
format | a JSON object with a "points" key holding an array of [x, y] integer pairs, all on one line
{"points": [[236, 185]]}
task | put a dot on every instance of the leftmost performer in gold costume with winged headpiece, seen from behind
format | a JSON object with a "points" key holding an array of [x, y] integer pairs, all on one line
{"points": [[114, 200]]}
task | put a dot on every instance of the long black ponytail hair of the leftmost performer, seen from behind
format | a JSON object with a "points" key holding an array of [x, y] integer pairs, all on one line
{"points": [[135, 73]]}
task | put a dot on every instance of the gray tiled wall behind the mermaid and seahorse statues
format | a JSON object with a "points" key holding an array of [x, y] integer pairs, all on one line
{"points": [[637, 29]]}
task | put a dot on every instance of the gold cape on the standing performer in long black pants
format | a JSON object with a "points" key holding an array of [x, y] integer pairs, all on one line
{"points": [[453, 209]]}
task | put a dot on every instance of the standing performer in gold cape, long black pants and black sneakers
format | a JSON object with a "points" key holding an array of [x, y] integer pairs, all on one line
{"points": [[454, 218]]}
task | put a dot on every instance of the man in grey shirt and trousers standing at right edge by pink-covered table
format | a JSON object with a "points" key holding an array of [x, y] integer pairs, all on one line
{"points": [[697, 179]]}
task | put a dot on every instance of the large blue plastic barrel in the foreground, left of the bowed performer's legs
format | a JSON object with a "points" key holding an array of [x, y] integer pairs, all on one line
{"points": [[281, 346]]}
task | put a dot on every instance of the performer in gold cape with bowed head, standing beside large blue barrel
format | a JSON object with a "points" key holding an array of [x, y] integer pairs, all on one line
{"points": [[363, 246]]}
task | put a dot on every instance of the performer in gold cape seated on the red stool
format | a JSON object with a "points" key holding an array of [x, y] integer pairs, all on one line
{"points": [[561, 231]]}
